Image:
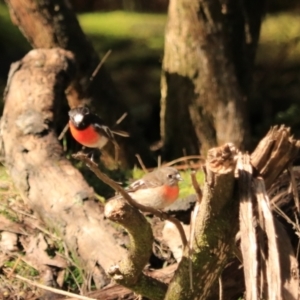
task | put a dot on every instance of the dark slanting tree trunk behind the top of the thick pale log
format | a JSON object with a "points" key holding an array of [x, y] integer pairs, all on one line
{"points": [[50, 24]]}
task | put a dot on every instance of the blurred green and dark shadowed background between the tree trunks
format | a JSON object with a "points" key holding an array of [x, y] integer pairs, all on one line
{"points": [[134, 31]]}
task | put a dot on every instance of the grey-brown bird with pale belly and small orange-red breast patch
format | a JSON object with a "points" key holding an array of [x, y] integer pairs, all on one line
{"points": [[157, 189]]}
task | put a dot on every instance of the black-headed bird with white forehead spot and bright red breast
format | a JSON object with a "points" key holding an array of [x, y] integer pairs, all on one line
{"points": [[89, 130]]}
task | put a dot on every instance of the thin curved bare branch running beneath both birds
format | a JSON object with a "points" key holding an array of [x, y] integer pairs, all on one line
{"points": [[83, 157]]}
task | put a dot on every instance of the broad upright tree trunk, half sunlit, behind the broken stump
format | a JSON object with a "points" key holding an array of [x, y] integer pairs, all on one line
{"points": [[209, 54]]}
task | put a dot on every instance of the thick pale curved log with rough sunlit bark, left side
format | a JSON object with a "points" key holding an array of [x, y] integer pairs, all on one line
{"points": [[48, 182]]}
